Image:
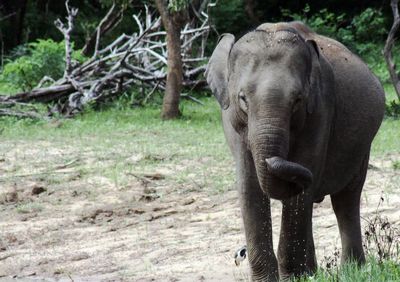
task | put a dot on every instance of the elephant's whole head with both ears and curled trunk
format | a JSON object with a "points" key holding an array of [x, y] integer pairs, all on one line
{"points": [[266, 83]]}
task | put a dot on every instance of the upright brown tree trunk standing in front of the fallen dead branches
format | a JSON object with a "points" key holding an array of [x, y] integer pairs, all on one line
{"points": [[173, 22]]}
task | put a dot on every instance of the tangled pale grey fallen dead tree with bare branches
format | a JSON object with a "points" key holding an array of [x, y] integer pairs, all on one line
{"points": [[138, 59]]}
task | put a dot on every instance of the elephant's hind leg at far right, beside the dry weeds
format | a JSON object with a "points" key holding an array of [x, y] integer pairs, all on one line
{"points": [[346, 205]]}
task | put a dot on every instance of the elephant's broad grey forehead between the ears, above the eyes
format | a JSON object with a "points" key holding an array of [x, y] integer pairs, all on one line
{"points": [[282, 65]]}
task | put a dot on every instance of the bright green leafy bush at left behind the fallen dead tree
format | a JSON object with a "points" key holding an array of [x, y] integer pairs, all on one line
{"points": [[41, 58]]}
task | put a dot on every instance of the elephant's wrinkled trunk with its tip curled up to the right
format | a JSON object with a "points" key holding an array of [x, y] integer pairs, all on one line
{"points": [[279, 178]]}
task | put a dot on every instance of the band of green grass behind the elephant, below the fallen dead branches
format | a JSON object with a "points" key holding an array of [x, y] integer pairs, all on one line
{"points": [[198, 132]]}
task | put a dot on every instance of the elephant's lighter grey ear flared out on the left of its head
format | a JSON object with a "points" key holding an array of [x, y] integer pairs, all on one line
{"points": [[217, 69]]}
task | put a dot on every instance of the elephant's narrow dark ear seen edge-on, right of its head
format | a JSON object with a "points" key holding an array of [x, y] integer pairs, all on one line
{"points": [[315, 76]]}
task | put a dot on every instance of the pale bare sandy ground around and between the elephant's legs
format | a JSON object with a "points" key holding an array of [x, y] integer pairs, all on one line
{"points": [[53, 227]]}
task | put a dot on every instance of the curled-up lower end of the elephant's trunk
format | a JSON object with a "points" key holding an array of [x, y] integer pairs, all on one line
{"points": [[285, 179]]}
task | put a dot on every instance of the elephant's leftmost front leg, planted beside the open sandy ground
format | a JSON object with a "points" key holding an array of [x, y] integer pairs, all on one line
{"points": [[255, 206]]}
